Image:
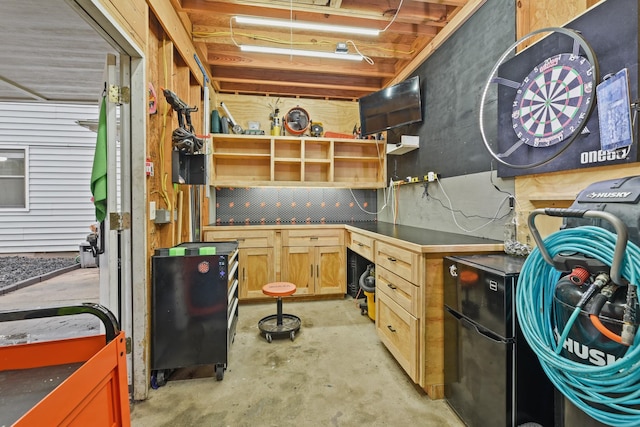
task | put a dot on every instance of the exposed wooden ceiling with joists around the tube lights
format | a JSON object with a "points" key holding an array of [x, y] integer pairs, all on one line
{"points": [[415, 29]]}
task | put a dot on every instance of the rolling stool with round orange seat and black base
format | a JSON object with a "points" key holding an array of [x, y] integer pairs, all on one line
{"points": [[279, 325]]}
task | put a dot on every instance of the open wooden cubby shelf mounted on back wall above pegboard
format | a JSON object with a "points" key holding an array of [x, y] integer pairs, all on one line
{"points": [[260, 160]]}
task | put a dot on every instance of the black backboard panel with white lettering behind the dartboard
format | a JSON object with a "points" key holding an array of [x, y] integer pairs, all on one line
{"points": [[611, 30]]}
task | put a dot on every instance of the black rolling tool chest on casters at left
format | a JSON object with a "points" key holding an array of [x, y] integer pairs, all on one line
{"points": [[194, 305]]}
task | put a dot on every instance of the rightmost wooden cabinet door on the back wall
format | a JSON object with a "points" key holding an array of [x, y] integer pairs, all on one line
{"points": [[330, 270]]}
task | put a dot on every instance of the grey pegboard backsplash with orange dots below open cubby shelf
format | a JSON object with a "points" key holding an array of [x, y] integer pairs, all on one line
{"points": [[294, 205]]}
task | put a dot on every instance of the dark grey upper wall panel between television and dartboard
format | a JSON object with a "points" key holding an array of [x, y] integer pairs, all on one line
{"points": [[452, 79]]}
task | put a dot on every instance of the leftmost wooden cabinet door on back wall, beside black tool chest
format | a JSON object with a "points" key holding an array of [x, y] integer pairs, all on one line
{"points": [[256, 270]]}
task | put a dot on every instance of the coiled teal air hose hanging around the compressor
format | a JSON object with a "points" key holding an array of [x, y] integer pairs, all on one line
{"points": [[610, 393]]}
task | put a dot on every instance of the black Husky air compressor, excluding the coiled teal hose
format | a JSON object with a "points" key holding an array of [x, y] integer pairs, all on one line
{"points": [[597, 336]]}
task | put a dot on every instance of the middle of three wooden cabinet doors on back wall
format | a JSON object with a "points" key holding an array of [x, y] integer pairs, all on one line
{"points": [[298, 267]]}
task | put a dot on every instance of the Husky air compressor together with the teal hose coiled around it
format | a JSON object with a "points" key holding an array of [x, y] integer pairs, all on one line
{"points": [[577, 301]]}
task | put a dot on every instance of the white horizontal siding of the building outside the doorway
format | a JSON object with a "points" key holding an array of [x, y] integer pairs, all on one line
{"points": [[60, 160]]}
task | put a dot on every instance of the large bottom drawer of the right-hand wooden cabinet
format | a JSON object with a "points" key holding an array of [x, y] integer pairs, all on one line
{"points": [[398, 330]]}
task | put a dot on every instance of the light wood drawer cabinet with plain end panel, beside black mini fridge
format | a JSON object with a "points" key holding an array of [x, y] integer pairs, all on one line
{"points": [[409, 300]]}
